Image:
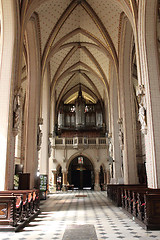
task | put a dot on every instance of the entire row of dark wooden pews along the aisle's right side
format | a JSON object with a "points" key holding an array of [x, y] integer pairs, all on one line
{"points": [[142, 203]]}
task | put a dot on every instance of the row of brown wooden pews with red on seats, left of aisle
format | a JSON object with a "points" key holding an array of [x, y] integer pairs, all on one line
{"points": [[17, 208]]}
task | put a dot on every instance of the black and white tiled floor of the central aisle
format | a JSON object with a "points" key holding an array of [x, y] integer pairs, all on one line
{"points": [[62, 209]]}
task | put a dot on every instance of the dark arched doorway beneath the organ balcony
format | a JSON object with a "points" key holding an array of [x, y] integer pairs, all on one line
{"points": [[81, 173]]}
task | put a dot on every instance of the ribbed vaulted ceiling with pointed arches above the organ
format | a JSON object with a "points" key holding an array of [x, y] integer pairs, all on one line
{"points": [[79, 40]]}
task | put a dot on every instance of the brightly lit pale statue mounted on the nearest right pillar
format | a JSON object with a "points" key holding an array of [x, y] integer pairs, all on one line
{"points": [[142, 108]]}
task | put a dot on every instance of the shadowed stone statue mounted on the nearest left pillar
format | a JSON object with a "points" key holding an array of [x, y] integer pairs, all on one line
{"points": [[17, 111]]}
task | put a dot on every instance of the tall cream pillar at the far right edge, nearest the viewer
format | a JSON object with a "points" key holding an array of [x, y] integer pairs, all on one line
{"points": [[151, 80]]}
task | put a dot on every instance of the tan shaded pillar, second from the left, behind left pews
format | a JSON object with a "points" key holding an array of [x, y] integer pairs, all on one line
{"points": [[32, 103]]}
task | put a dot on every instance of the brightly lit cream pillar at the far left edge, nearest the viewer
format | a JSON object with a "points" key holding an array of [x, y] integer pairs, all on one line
{"points": [[7, 76]]}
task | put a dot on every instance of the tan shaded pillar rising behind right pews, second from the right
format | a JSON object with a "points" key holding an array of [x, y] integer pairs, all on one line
{"points": [[127, 105]]}
